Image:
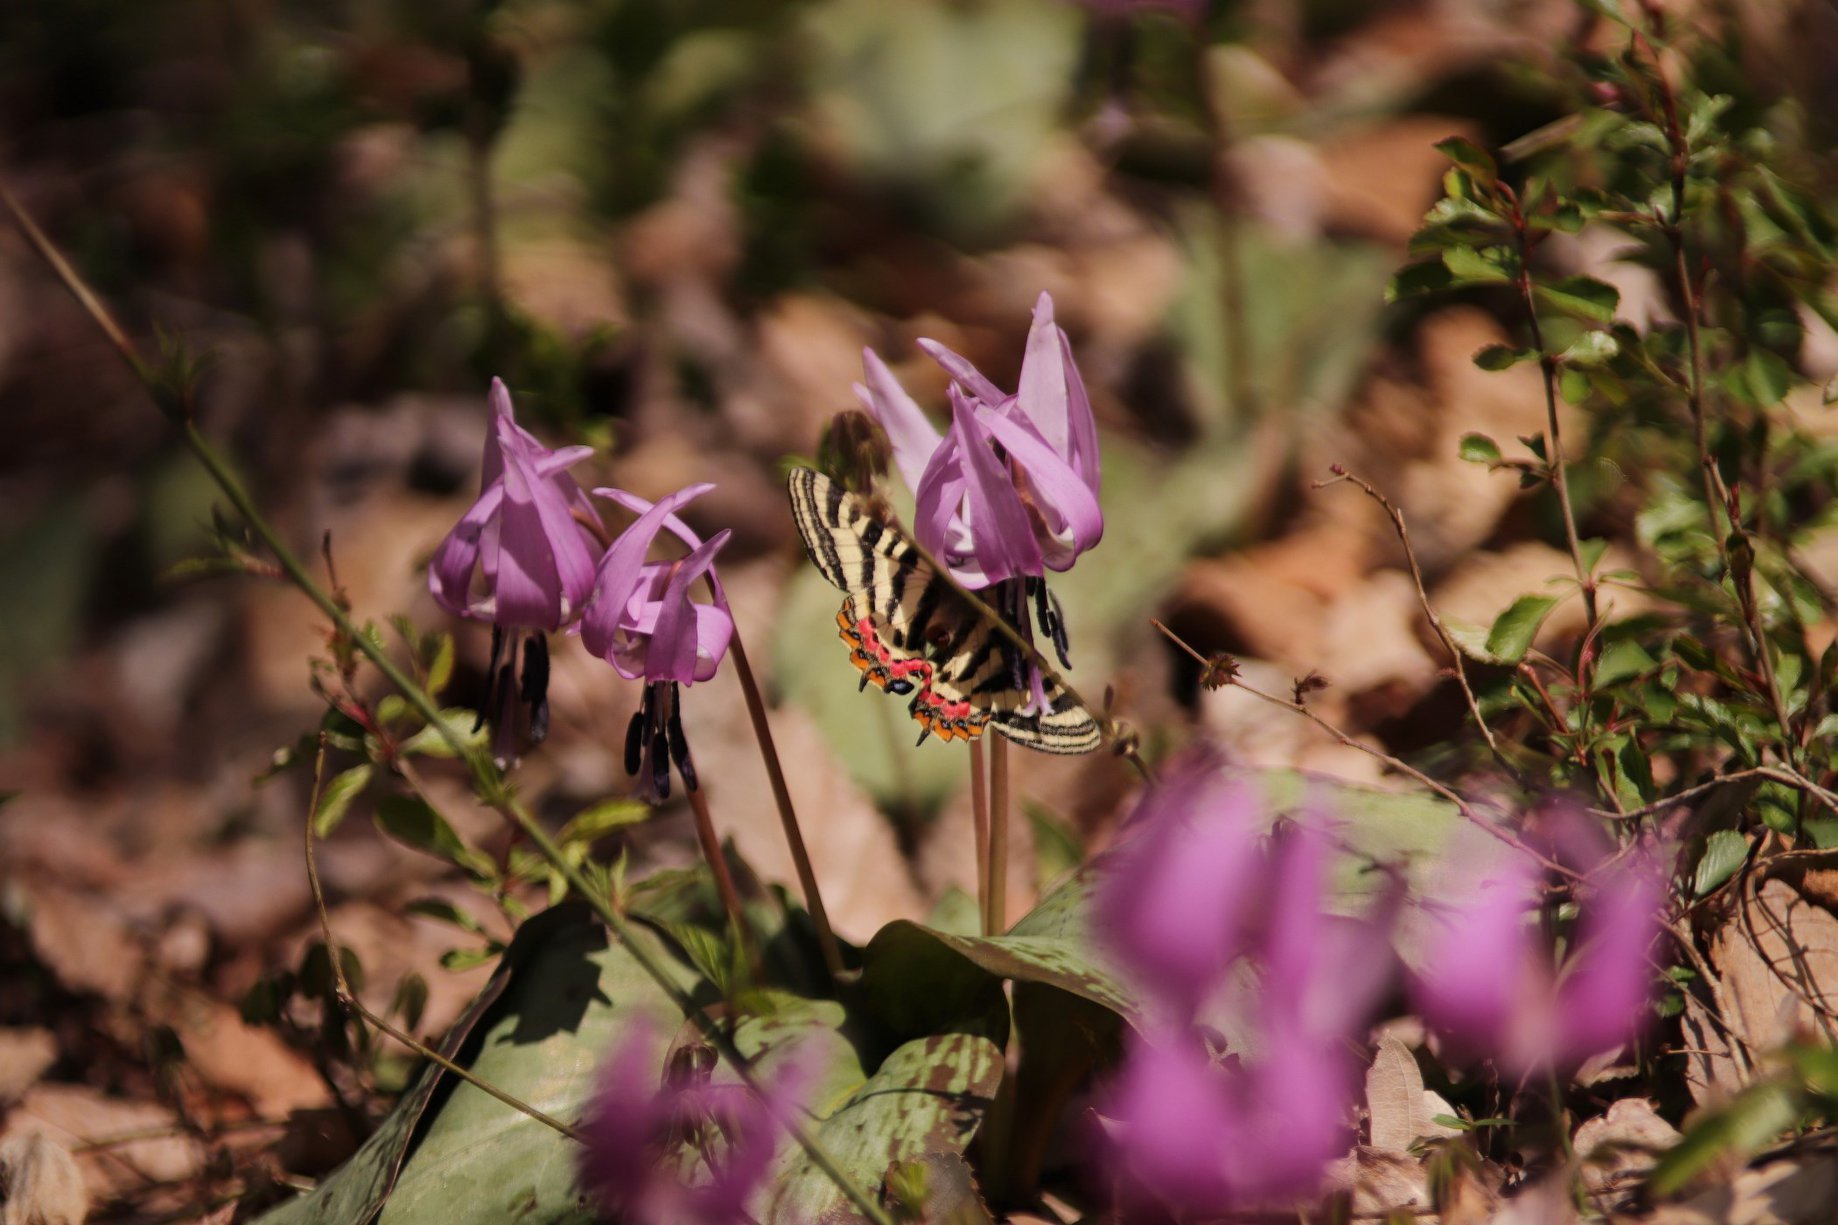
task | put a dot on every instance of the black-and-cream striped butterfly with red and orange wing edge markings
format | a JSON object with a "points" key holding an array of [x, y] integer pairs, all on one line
{"points": [[911, 632]]}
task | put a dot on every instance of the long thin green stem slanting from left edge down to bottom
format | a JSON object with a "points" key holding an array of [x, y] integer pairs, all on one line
{"points": [[488, 779]]}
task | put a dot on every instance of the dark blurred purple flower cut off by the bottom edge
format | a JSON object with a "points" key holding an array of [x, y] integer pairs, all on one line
{"points": [[683, 1152]]}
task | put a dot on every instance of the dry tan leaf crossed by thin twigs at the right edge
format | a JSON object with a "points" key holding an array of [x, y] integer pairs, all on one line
{"points": [[1780, 970]]}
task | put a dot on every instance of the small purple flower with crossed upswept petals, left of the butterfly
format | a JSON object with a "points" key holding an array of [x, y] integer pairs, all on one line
{"points": [[641, 621]]}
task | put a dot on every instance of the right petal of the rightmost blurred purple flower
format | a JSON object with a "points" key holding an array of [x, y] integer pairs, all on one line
{"points": [[1604, 996]]}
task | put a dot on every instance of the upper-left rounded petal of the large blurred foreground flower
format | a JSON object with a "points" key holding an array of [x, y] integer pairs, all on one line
{"points": [[1174, 910]]}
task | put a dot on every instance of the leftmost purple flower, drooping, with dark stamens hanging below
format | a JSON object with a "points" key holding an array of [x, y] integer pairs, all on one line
{"points": [[521, 558]]}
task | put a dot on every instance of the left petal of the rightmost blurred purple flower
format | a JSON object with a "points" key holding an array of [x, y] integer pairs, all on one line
{"points": [[1482, 965]]}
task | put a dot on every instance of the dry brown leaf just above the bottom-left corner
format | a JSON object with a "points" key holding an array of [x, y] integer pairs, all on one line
{"points": [[76, 1116]]}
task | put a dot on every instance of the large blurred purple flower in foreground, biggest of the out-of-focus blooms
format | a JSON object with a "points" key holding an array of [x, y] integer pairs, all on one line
{"points": [[1194, 893]]}
